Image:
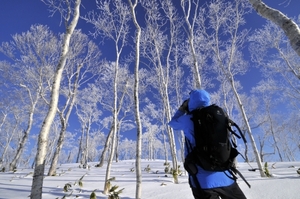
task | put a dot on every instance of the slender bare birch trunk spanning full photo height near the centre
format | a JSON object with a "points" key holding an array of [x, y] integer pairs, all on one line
{"points": [[138, 193]]}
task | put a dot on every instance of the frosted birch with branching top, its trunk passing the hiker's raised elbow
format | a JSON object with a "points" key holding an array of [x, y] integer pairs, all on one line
{"points": [[159, 57]]}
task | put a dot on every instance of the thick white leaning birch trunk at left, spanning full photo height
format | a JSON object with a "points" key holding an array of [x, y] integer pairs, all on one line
{"points": [[38, 176]]}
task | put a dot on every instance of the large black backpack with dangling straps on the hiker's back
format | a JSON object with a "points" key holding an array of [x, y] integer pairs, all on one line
{"points": [[215, 150]]}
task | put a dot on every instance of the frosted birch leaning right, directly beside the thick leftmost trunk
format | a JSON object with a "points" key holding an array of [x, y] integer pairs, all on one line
{"points": [[82, 65]]}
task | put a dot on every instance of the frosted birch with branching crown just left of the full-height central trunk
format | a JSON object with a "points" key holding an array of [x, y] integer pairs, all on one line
{"points": [[112, 22]]}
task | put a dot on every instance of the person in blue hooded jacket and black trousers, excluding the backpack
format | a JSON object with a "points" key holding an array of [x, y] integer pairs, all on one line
{"points": [[204, 184]]}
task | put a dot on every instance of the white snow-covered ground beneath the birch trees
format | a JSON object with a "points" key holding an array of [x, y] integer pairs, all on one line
{"points": [[156, 184]]}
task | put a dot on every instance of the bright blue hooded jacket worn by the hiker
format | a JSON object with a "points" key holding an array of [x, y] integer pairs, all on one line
{"points": [[182, 121]]}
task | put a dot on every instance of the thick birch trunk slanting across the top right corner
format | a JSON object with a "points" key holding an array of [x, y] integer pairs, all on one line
{"points": [[290, 28]]}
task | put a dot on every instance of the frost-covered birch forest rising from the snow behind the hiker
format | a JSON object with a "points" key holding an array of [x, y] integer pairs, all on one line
{"points": [[106, 94]]}
